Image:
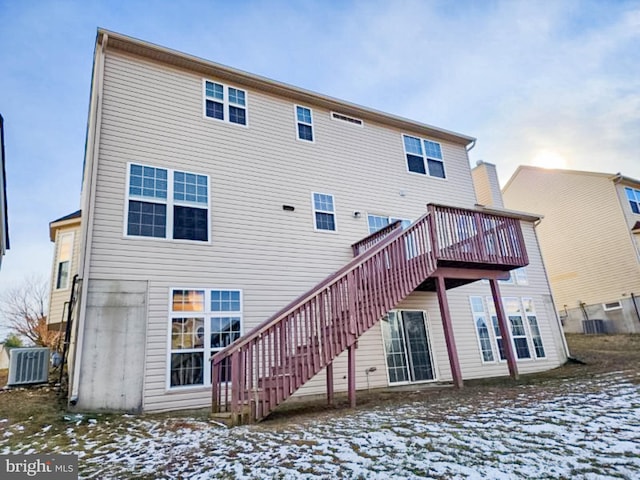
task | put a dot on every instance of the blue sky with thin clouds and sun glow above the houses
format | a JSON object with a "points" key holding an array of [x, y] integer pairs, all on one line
{"points": [[546, 82]]}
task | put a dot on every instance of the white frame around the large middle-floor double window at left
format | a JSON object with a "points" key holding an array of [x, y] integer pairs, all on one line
{"points": [[169, 202]]}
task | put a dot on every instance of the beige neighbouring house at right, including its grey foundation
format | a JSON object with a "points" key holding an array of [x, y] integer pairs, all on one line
{"points": [[590, 238]]}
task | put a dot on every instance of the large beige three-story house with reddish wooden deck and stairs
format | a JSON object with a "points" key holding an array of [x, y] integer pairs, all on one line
{"points": [[287, 234]]}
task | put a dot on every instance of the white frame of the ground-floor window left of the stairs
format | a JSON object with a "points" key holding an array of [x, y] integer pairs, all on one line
{"points": [[207, 314]]}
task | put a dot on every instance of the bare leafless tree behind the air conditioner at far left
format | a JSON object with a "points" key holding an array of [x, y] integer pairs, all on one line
{"points": [[23, 310]]}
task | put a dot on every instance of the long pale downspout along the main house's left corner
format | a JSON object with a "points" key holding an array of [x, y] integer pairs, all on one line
{"points": [[92, 155]]}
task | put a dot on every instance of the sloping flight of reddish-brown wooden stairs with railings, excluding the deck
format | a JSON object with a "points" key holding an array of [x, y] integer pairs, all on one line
{"points": [[266, 366]]}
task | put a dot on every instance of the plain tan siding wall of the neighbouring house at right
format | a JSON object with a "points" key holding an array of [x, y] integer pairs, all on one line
{"points": [[583, 235]]}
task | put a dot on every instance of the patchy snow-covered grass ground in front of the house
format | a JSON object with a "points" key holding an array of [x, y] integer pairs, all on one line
{"points": [[572, 429]]}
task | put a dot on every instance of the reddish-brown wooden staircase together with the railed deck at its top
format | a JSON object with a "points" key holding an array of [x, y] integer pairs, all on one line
{"points": [[259, 371]]}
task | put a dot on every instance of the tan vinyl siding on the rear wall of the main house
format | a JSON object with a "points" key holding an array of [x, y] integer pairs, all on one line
{"points": [[153, 115]]}
